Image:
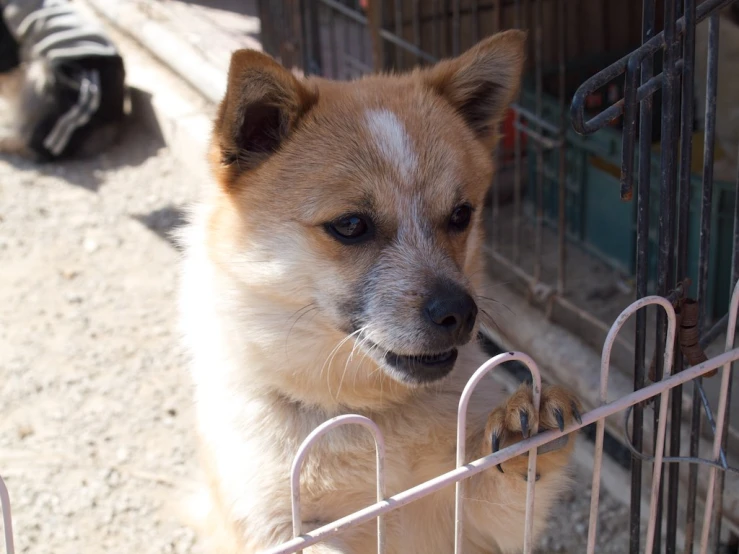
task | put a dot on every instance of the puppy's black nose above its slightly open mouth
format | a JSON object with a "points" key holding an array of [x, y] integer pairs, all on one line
{"points": [[451, 310]]}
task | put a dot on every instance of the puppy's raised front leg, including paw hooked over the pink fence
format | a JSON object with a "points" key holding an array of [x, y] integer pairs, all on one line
{"points": [[496, 499]]}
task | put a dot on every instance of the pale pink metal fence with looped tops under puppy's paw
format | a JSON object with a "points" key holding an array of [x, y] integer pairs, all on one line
{"points": [[541, 441]]}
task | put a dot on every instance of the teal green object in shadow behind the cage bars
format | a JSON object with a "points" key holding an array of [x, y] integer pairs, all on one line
{"points": [[601, 223]]}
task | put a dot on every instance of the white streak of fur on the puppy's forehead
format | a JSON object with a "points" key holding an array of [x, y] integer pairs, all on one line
{"points": [[392, 141]]}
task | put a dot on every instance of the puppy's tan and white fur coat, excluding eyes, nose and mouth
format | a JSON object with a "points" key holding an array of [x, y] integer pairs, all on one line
{"points": [[266, 292]]}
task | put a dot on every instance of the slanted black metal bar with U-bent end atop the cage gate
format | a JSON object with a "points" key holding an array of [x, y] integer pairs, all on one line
{"points": [[605, 76]]}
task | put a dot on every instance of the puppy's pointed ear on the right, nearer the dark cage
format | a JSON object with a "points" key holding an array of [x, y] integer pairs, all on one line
{"points": [[482, 82]]}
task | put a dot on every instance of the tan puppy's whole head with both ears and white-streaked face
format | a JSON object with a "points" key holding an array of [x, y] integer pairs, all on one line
{"points": [[364, 199]]}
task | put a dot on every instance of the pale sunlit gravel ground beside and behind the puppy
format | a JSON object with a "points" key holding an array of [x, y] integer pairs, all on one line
{"points": [[95, 442]]}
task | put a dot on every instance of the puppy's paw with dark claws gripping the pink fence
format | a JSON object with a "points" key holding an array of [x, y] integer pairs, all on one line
{"points": [[516, 420]]}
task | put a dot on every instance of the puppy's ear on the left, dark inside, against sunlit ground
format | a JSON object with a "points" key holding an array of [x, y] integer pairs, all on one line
{"points": [[262, 105]]}
